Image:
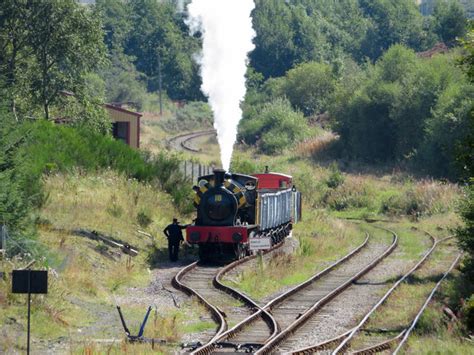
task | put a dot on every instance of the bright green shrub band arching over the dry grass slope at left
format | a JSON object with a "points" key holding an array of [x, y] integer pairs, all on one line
{"points": [[31, 150]]}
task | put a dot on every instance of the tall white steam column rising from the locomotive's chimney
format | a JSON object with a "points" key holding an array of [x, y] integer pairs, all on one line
{"points": [[227, 32]]}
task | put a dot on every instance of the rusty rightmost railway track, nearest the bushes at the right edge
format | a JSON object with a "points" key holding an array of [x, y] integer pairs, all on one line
{"points": [[375, 343]]}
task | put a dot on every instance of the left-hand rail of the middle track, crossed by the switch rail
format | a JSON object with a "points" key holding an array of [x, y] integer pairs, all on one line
{"points": [[264, 311]]}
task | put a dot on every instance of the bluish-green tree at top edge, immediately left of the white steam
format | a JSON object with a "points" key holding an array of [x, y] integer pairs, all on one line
{"points": [[160, 39]]}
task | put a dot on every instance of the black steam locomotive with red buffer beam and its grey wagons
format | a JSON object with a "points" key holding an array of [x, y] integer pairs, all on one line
{"points": [[235, 210]]}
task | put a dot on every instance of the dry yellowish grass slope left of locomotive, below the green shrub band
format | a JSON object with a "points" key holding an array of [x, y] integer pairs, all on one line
{"points": [[87, 277]]}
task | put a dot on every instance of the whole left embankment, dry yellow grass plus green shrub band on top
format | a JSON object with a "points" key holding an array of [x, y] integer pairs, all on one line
{"points": [[95, 183]]}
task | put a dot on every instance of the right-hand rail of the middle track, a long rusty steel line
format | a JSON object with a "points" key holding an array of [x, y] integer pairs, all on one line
{"points": [[270, 345]]}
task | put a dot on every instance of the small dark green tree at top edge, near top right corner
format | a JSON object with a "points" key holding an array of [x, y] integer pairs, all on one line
{"points": [[450, 20]]}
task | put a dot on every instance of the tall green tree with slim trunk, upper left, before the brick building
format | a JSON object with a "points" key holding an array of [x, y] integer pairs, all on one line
{"points": [[66, 42]]}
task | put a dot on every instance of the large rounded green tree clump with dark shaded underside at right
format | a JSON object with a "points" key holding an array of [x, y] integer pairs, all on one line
{"points": [[407, 109]]}
